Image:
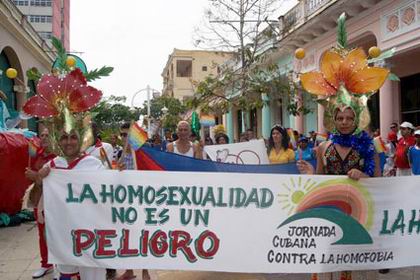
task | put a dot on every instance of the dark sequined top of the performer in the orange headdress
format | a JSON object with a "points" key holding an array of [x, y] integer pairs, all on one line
{"points": [[335, 165]]}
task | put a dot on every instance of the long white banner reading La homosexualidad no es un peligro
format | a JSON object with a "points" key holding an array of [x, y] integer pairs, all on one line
{"points": [[262, 223]]}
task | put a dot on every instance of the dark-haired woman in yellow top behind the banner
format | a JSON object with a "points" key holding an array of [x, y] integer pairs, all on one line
{"points": [[278, 146]]}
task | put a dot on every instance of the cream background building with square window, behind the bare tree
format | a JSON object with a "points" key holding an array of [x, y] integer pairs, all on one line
{"points": [[185, 68]]}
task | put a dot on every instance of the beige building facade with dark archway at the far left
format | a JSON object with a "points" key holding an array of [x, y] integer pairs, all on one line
{"points": [[21, 48]]}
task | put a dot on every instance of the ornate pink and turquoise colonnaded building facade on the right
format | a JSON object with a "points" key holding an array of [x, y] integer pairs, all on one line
{"points": [[311, 25]]}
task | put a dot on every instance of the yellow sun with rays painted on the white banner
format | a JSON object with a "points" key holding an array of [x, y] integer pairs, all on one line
{"points": [[293, 193]]}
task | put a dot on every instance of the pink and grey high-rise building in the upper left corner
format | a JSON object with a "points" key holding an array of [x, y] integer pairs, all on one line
{"points": [[48, 17]]}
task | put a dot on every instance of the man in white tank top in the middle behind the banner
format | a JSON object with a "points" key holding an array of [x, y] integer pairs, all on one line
{"points": [[183, 146]]}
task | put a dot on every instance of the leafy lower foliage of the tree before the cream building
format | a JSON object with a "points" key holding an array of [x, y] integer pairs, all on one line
{"points": [[212, 94]]}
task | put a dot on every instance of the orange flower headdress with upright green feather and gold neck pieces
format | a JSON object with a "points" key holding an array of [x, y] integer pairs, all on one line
{"points": [[346, 80]]}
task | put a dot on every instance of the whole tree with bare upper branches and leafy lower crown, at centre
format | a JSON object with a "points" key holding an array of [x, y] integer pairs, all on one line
{"points": [[242, 26]]}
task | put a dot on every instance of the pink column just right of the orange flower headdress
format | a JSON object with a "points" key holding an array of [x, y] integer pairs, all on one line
{"points": [[386, 107]]}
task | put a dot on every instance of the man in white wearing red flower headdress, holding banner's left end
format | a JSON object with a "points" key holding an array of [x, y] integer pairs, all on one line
{"points": [[64, 102]]}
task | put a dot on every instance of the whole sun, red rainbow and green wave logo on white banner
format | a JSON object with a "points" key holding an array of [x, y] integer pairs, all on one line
{"points": [[342, 201]]}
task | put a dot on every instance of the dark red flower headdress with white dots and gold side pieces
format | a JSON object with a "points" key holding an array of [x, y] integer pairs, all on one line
{"points": [[64, 102]]}
